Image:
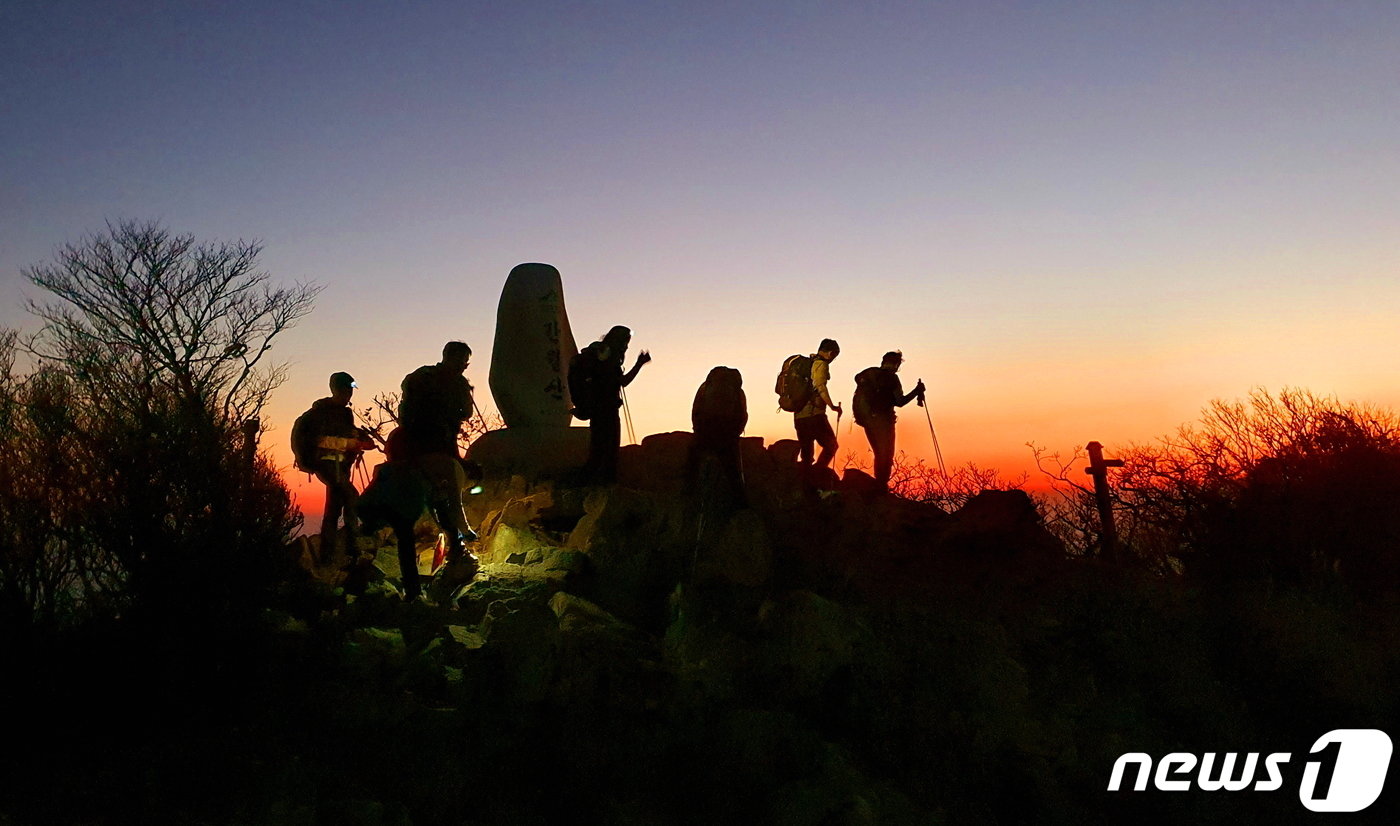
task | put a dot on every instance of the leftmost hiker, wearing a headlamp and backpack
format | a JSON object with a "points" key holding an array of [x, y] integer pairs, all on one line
{"points": [[327, 443]]}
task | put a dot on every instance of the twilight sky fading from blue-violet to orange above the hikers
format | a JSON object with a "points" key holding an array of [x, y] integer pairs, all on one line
{"points": [[1079, 220]]}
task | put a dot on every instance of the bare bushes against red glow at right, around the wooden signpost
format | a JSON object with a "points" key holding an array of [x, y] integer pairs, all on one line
{"points": [[1290, 486]]}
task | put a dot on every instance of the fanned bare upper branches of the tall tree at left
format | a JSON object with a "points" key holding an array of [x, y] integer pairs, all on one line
{"points": [[148, 309]]}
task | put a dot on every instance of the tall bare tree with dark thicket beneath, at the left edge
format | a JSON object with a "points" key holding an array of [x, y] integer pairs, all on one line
{"points": [[125, 479]]}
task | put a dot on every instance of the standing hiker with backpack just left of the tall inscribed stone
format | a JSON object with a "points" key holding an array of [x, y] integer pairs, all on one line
{"points": [[436, 401]]}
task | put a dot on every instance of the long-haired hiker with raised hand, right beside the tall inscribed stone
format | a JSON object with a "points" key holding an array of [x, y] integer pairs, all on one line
{"points": [[596, 383]]}
